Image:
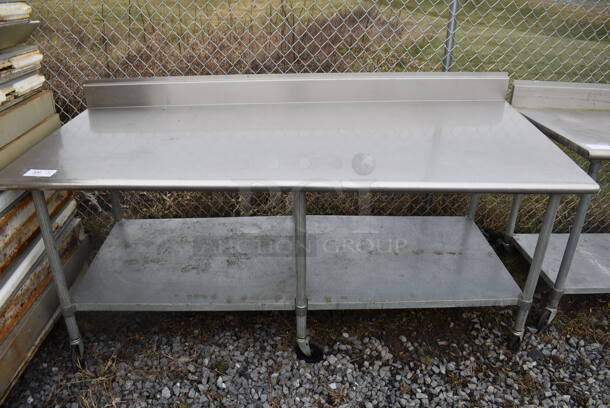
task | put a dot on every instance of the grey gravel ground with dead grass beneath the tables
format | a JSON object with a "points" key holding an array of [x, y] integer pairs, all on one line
{"points": [[453, 357]]}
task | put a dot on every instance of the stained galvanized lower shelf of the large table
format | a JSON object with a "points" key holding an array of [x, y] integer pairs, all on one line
{"points": [[247, 263]]}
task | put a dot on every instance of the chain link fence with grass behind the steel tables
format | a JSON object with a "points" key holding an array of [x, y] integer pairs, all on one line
{"points": [[530, 39]]}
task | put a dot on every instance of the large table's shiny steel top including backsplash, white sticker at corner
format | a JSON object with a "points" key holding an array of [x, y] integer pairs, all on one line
{"points": [[421, 143]]}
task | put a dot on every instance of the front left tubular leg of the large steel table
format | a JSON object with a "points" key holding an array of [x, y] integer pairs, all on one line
{"points": [[67, 308]]}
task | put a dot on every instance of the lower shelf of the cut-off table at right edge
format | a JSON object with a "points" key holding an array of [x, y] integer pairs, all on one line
{"points": [[590, 269]]}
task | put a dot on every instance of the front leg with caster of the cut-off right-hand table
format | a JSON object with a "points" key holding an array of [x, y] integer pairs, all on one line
{"points": [[566, 261]]}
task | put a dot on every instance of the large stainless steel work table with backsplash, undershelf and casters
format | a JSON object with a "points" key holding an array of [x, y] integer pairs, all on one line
{"points": [[422, 132]]}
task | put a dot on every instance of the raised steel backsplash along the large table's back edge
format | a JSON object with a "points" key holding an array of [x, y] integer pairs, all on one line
{"points": [[296, 88]]}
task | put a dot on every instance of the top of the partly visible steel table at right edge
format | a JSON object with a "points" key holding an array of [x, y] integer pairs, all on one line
{"points": [[576, 115]]}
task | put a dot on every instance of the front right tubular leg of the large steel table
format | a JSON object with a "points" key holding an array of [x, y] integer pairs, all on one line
{"points": [[525, 303]]}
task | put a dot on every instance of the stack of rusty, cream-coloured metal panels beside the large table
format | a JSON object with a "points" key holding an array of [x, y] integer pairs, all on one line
{"points": [[28, 302]]}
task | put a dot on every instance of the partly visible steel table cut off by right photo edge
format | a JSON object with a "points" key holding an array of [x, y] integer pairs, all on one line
{"points": [[577, 116]]}
